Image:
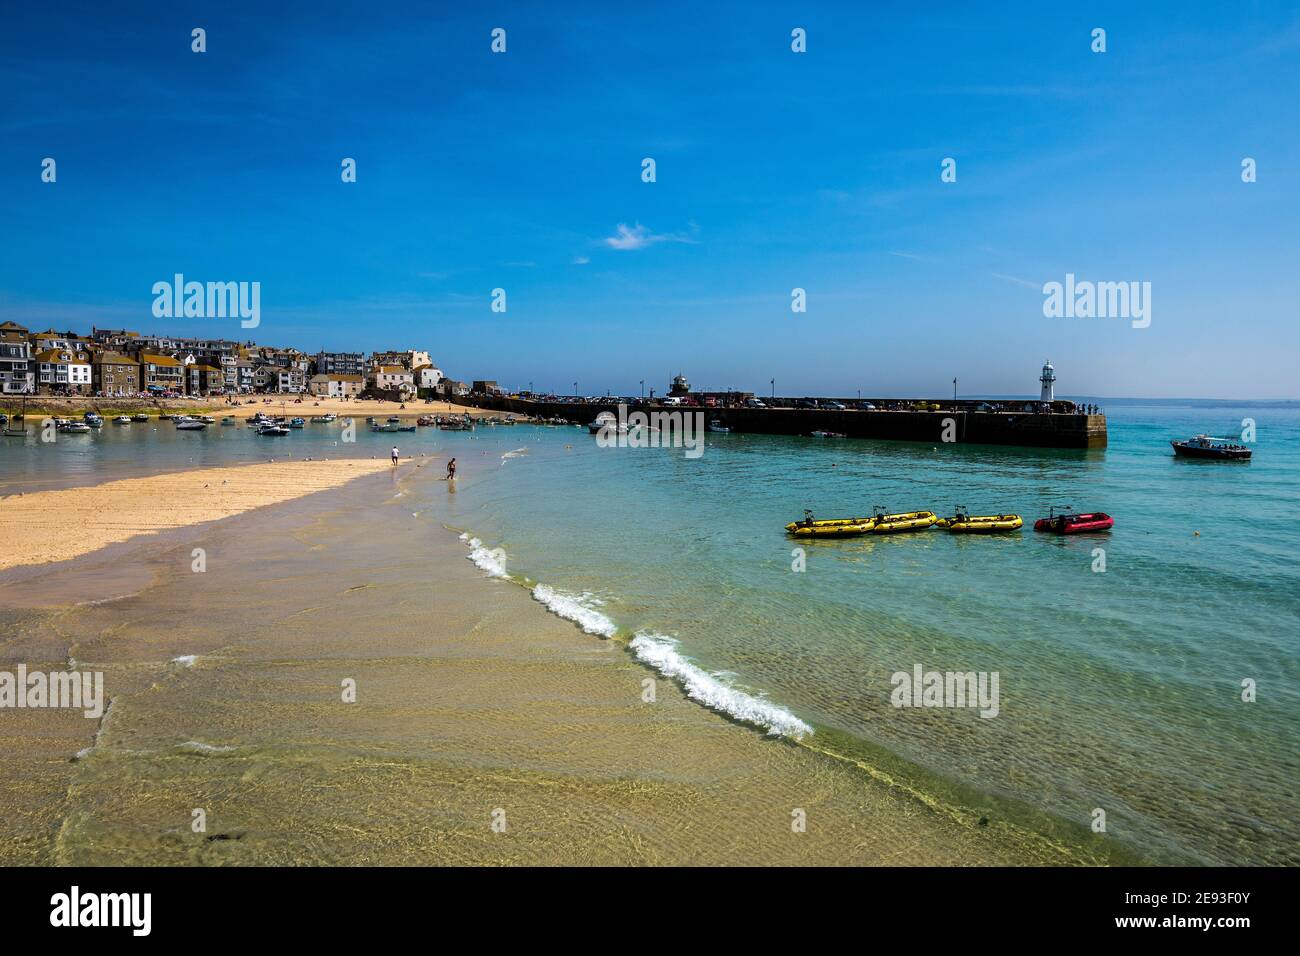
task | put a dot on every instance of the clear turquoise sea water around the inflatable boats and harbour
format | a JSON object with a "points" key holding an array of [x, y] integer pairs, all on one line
{"points": [[1120, 691]]}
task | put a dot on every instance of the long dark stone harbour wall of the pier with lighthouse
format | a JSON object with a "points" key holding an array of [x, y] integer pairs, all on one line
{"points": [[1030, 430]]}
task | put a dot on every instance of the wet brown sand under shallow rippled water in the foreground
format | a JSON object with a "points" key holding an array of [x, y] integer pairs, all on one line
{"points": [[474, 708]]}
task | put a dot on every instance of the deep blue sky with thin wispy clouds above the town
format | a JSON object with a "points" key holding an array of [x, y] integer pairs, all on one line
{"points": [[775, 171]]}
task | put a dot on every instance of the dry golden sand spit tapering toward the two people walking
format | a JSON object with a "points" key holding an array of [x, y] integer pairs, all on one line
{"points": [[54, 526]]}
